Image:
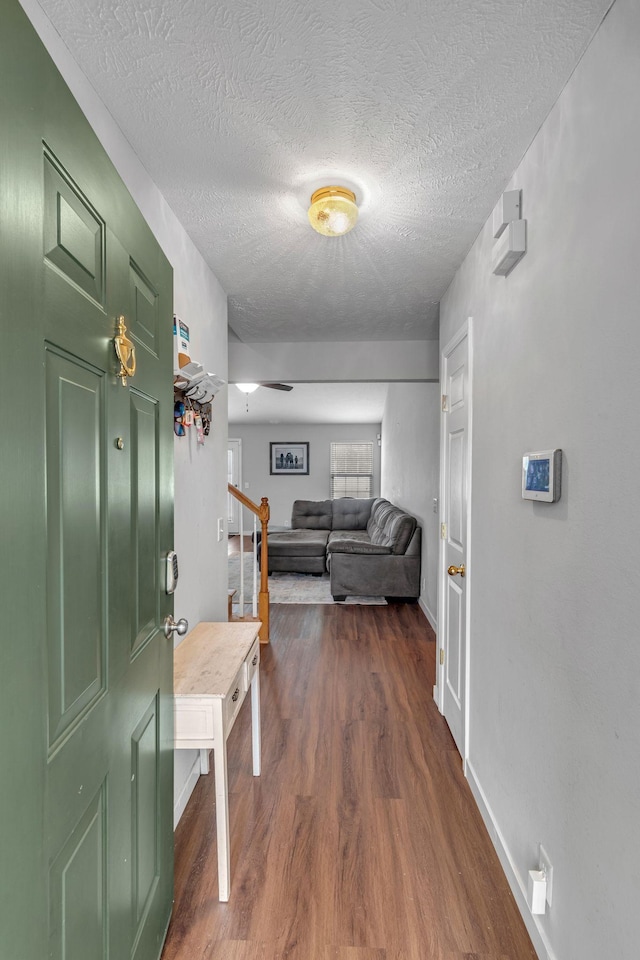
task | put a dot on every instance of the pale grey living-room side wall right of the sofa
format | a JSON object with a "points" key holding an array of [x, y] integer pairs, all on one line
{"points": [[410, 470]]}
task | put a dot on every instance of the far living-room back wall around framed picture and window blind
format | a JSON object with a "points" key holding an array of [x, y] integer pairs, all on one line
{"points": [[283, 490]]}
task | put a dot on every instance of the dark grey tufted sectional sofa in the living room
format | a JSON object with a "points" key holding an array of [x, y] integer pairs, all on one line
{"points": [[370, 547]]}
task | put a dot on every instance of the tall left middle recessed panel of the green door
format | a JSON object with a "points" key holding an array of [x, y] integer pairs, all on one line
{"points": [[76, 555]]}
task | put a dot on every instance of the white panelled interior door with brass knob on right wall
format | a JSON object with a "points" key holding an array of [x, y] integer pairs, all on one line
{"points": [[455, 498]]}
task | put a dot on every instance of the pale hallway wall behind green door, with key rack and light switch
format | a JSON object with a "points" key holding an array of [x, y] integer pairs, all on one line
{"points": [[199, 472]]}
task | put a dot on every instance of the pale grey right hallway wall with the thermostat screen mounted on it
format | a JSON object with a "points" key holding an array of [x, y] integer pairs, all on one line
{"points": [[555, 658]]}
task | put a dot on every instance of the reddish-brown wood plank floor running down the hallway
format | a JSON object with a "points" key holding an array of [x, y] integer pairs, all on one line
{"points": [[360, 841]]}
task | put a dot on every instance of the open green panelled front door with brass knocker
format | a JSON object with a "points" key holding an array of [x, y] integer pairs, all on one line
{"points": [[86, 479]]}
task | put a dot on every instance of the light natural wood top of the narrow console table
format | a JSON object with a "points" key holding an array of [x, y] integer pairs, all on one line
{"points": [[209, 657]]}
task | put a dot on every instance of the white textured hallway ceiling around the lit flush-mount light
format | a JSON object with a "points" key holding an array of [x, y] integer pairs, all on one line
{"points": [[240, 109]]}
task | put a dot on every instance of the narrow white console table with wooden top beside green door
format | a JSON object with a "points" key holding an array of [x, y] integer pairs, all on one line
{"points": [[213, 668]]}
